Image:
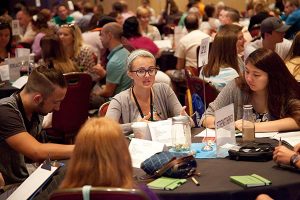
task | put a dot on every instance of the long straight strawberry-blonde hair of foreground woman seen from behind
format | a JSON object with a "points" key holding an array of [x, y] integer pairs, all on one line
{"points": [[101, 155]]}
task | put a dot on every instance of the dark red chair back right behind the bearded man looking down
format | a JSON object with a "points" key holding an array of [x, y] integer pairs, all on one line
{"points": [[74, 108]]}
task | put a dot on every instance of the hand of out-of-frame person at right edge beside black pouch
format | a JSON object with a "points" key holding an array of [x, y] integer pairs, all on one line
{"points": [[282, 155]]}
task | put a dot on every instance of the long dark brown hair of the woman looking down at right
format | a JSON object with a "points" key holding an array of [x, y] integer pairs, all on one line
{"points": [[282, 89]]}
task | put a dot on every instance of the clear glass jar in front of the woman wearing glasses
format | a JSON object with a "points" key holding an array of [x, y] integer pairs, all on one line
{"points": [[181, 133]]}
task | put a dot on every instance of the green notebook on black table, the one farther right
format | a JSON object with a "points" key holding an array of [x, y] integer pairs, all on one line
{"points": [[253, 180]]}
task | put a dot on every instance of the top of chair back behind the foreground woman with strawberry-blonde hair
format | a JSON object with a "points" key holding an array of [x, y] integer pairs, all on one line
{"points": [[100, 193]]}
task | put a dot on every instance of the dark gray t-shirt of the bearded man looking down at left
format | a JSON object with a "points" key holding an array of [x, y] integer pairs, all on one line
{"points": [[12, 122]]}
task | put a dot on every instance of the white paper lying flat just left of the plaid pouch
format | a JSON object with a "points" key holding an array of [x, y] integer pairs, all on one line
{"points": [[140, 150]]}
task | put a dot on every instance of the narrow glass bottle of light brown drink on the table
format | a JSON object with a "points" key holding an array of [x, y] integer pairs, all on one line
{"points": [[248, 127]]}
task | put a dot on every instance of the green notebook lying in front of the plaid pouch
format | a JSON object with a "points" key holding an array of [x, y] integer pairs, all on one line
{"points": [[165, 183]]}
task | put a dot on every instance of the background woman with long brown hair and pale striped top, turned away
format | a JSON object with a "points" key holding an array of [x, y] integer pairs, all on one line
{"points": [[224, 63]]}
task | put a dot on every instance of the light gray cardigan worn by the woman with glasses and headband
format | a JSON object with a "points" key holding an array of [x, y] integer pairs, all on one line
{"points": [[123, 109]]}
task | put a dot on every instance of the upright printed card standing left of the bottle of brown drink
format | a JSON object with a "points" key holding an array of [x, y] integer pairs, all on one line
{"points": [[225, 129]]}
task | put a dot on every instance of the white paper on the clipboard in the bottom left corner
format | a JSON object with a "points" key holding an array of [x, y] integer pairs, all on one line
{"points": [[32, 183]]}
